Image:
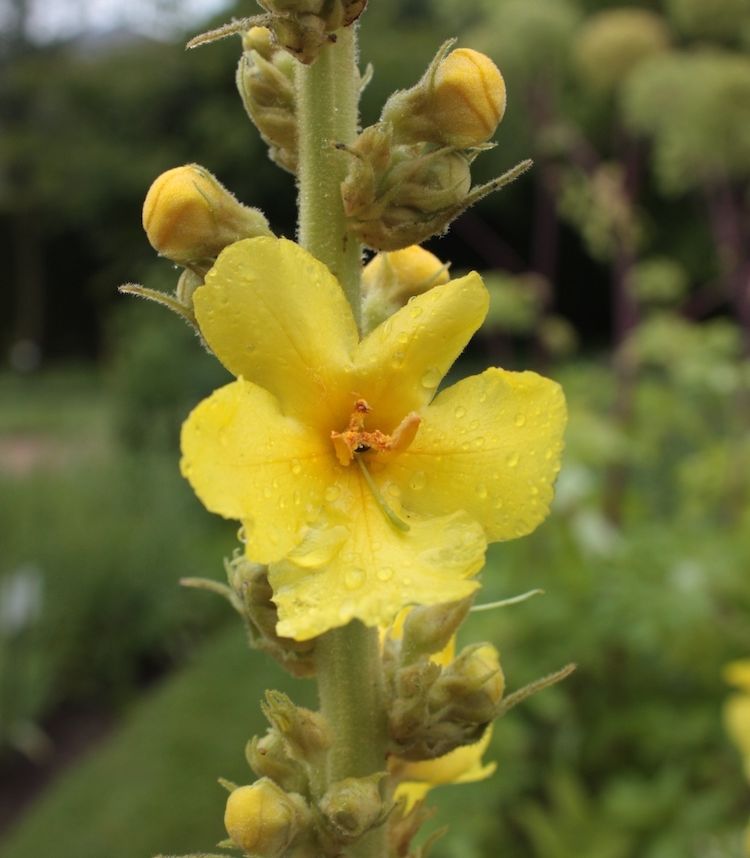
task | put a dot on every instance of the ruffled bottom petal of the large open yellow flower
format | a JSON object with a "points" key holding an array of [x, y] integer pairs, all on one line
{"points": [[358, 565]]}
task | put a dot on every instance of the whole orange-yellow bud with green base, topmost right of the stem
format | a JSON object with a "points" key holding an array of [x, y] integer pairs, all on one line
{"points": [[459, 102]]}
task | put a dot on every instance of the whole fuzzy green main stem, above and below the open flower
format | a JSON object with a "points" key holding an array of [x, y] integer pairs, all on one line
{"points": [[348, 664]]}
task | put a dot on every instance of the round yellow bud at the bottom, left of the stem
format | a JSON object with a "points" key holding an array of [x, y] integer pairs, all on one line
{"points": [[262, 819]]}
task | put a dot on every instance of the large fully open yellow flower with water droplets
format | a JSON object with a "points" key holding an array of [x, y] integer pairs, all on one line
{"points": [[362, 490]]}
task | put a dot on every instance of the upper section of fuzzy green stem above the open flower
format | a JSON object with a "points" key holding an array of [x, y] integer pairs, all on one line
{"points": [[327, 111]]}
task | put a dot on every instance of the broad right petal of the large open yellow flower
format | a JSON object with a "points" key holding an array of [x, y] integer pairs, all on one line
{"points": [[489, 445]]}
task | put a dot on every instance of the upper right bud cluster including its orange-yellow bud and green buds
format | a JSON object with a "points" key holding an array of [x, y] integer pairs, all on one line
{"points": [[409, 175]]}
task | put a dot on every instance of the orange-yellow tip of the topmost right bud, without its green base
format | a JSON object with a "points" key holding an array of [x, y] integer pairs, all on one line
{"points": [[468, 98]]}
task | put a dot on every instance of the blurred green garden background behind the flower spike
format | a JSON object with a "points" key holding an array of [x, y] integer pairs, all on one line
{"points": [[620, 266]]}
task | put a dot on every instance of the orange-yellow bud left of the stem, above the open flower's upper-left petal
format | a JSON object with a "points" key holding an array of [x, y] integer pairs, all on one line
{"points": [[189, 217]]}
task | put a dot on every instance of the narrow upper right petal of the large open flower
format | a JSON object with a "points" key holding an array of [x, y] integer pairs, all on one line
{"points": [[401, 363]]}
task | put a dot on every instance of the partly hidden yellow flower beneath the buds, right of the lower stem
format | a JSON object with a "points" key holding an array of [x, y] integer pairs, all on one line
{"points": [[462, 766]]}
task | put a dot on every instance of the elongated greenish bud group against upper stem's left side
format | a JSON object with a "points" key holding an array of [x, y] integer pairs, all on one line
{"points": [[265, 80]]}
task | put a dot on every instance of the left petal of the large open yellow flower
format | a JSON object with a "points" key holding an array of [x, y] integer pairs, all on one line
{"points": [[247, 461]]}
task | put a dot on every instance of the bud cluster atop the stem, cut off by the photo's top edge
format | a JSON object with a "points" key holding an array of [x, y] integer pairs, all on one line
{"points": [[303, 27]]}
